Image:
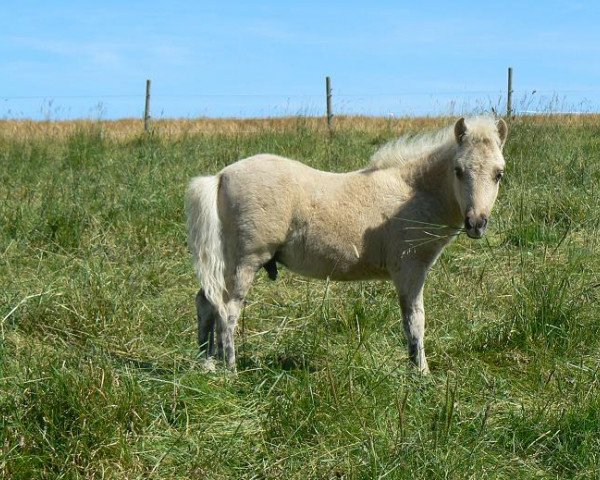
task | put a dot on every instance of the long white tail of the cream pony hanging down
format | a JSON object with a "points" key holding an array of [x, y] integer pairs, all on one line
{"points": [[205, 238]]}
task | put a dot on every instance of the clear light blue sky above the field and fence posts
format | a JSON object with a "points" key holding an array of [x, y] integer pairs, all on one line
{"points": [[62, 60]]}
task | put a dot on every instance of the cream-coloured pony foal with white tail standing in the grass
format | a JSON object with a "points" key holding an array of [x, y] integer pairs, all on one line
{"points": [[390, 220]]}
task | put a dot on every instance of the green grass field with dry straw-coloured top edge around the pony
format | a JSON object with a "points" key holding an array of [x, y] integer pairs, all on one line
{"points": [[99, 376]]}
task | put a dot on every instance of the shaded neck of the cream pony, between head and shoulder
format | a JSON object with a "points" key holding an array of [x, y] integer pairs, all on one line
{"points": [[433, 175]]}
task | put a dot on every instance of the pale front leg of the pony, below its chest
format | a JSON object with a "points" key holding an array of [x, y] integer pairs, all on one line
{"points": [[410, 294]]}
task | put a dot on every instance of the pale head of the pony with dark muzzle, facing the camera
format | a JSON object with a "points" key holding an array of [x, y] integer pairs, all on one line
{"points": [[477, 170]]}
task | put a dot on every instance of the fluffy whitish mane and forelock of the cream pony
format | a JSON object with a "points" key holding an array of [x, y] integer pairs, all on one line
{"points": [[412, 147]]}
